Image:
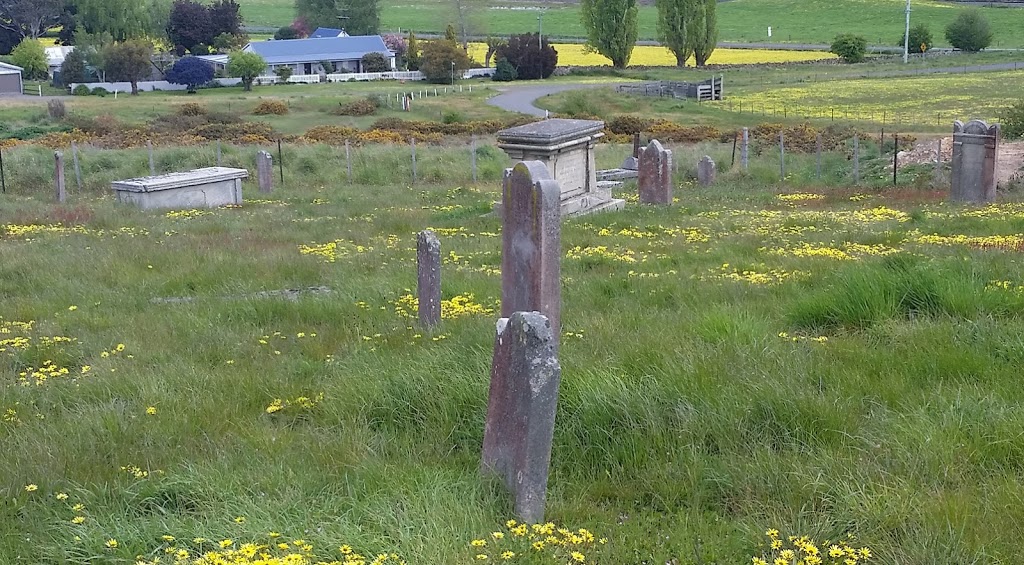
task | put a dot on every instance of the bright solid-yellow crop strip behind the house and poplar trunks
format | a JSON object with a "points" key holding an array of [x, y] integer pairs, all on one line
{"points": [[572, 55]]}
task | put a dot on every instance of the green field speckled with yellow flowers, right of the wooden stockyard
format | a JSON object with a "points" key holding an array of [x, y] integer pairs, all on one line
{"points": [[926, 99]]}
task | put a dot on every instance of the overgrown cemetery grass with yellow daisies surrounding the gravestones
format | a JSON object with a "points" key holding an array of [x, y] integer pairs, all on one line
{"points": [[830, 362]]}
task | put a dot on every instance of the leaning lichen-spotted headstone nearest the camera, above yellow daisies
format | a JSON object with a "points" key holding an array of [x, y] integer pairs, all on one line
{"points": [[522, 407]]}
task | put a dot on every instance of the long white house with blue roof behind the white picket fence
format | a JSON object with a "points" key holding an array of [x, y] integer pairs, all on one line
{"points": [[306, 56]]}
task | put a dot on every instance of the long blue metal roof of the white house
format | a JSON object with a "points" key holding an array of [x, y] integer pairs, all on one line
{"points": [[312, 51]]}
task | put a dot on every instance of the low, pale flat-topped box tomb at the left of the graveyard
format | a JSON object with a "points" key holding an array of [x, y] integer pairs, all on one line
{"points": [[207, 188]]}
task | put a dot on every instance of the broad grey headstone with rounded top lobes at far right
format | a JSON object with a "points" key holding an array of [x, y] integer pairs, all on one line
{"points": [[975, 148]]}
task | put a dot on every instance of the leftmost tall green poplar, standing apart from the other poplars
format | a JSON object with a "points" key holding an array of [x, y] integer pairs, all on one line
{"points": [[612, 28]]}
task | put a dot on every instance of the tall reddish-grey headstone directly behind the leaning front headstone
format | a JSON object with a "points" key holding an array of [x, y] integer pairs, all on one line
{"points": [[531, 243]]}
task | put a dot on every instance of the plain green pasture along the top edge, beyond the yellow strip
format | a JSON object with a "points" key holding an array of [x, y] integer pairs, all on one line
{"points": [[881, 22]]}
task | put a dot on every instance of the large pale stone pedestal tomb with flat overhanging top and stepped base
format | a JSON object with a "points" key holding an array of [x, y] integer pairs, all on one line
{"points": [[567, 149]]}
